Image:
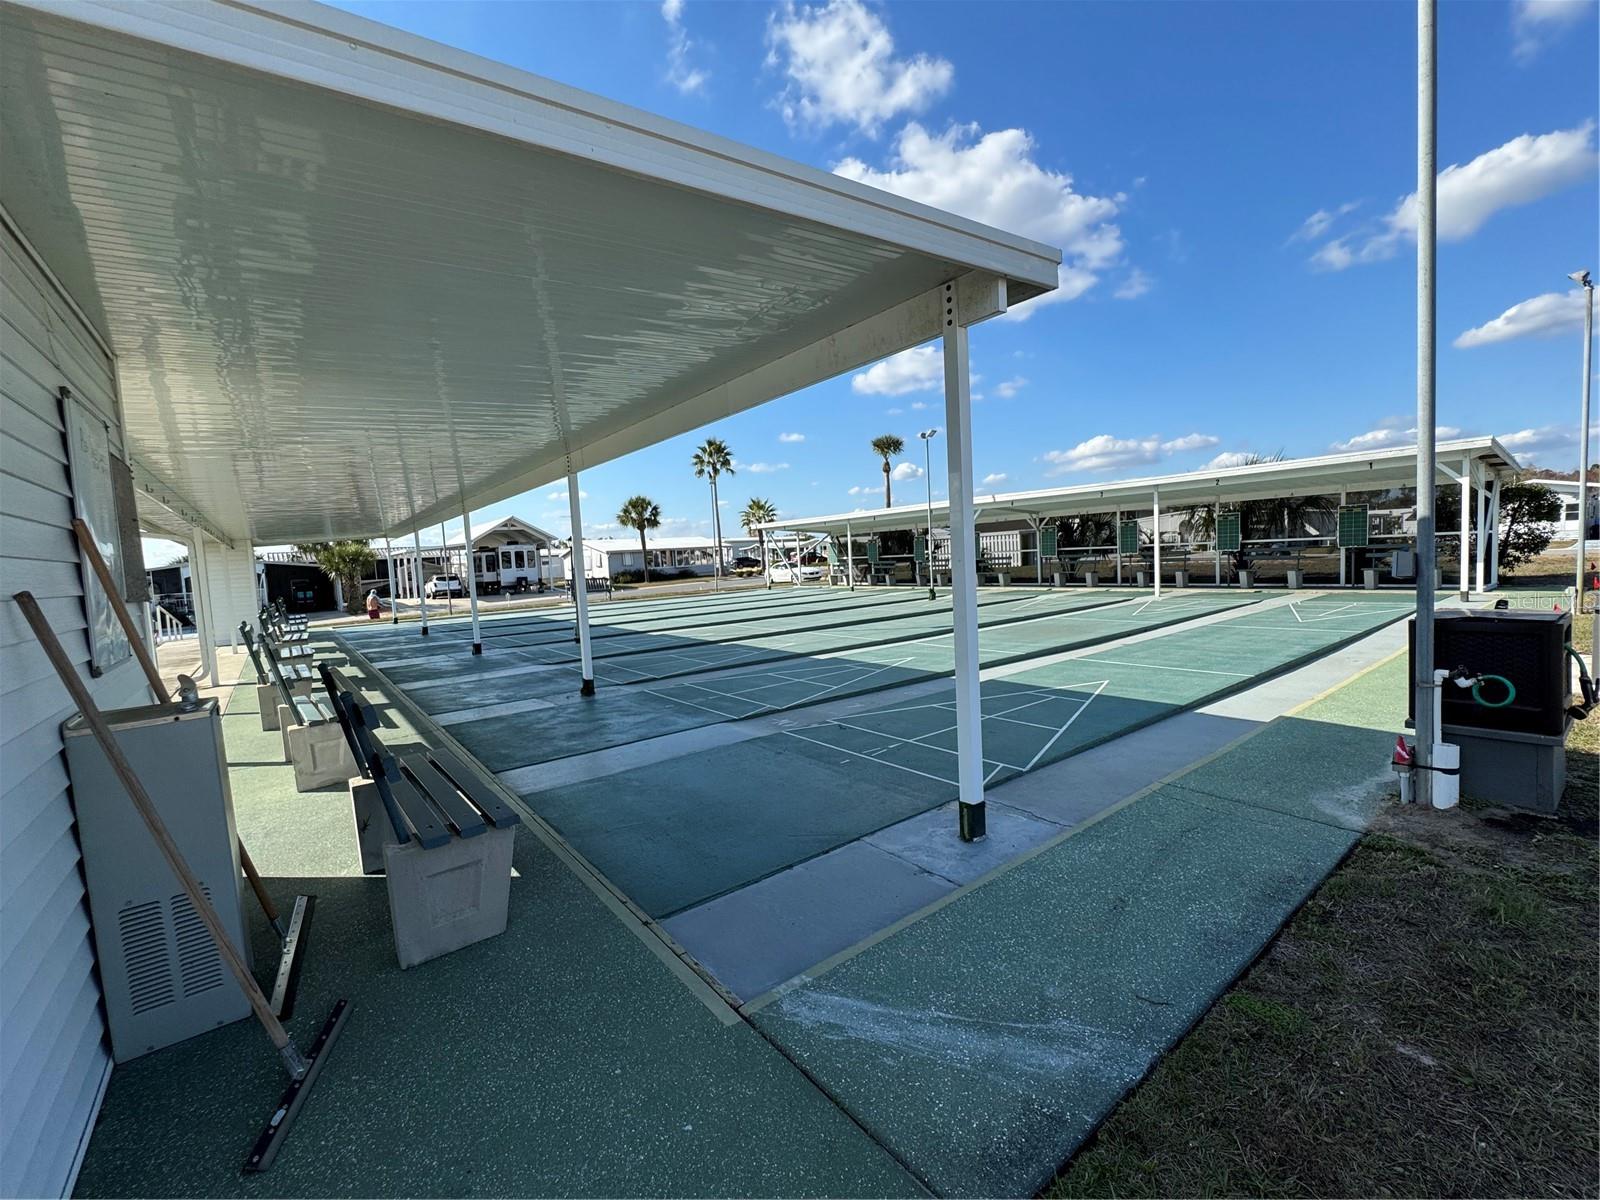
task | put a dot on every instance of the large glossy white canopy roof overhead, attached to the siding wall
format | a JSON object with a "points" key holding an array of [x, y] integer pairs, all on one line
{"points": [[318, 244]]}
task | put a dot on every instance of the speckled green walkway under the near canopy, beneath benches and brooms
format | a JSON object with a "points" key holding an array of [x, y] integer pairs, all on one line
{"points": [[561, 1058]]}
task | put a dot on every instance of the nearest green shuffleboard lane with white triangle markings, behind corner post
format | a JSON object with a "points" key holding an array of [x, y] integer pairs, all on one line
{"points": [[694, 828]]}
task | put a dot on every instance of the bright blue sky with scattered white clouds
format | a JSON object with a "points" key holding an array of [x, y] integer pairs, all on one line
{"points": [[1228, 183]]}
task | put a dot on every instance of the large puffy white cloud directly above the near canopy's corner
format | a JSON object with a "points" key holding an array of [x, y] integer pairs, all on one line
{"points": [[994, 178]]}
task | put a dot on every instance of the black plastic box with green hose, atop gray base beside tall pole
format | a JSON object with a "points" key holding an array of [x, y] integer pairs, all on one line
{"points": [[1524, 647]]}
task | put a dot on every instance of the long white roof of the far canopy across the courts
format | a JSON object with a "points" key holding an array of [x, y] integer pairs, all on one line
{"points": [[1321, 476]]}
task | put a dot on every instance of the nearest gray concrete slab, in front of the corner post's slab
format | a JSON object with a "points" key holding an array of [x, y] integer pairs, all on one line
{"points": [[774, 930]]}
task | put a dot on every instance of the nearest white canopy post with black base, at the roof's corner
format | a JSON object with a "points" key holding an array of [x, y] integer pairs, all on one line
{"points": [[964, 572]]}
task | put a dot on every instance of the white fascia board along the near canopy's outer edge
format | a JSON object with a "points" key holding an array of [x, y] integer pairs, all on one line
{"points": [[338, 52]]}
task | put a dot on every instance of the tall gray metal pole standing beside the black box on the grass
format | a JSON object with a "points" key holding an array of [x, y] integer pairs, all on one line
{"points": [[1426, 434]]}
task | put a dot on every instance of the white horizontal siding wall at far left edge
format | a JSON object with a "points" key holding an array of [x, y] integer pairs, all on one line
{"points": [[54, 1060]]}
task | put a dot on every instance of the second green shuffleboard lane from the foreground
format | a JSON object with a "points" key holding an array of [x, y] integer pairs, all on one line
{"points": [[537, 718]]}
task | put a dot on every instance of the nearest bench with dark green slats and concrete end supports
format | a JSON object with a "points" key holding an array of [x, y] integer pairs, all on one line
{"points": [[439, 834]]}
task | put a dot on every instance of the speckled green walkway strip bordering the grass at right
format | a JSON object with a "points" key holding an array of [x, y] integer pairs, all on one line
{"points": [[985, 1041]]}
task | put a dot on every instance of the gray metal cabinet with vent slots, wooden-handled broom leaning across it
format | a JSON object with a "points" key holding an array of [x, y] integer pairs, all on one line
{"points": [[161, 972]]}
